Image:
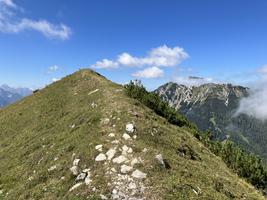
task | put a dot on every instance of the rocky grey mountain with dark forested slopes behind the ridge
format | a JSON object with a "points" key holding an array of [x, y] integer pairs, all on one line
{"points": [[213, 107]]}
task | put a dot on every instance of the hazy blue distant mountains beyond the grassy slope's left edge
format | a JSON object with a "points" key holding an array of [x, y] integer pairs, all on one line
{"points": [[10, 95]]}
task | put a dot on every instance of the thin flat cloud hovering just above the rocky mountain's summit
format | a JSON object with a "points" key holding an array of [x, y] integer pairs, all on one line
{"points": [[192, 81]]}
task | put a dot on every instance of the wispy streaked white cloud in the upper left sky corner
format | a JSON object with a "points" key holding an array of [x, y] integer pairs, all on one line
{"points": [[10, 23]]}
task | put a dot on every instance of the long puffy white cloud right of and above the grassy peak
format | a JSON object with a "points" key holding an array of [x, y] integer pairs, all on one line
{"points": [[162, 56]]}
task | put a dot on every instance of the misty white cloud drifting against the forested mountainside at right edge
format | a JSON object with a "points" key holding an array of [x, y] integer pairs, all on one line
{"points": [[256, 103]]}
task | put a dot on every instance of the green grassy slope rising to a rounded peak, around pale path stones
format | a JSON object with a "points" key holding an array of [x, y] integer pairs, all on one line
{"points": [[41, 135]]}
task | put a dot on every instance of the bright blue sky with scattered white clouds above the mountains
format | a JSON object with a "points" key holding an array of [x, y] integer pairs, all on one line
{"points": [[164, 40]]}
